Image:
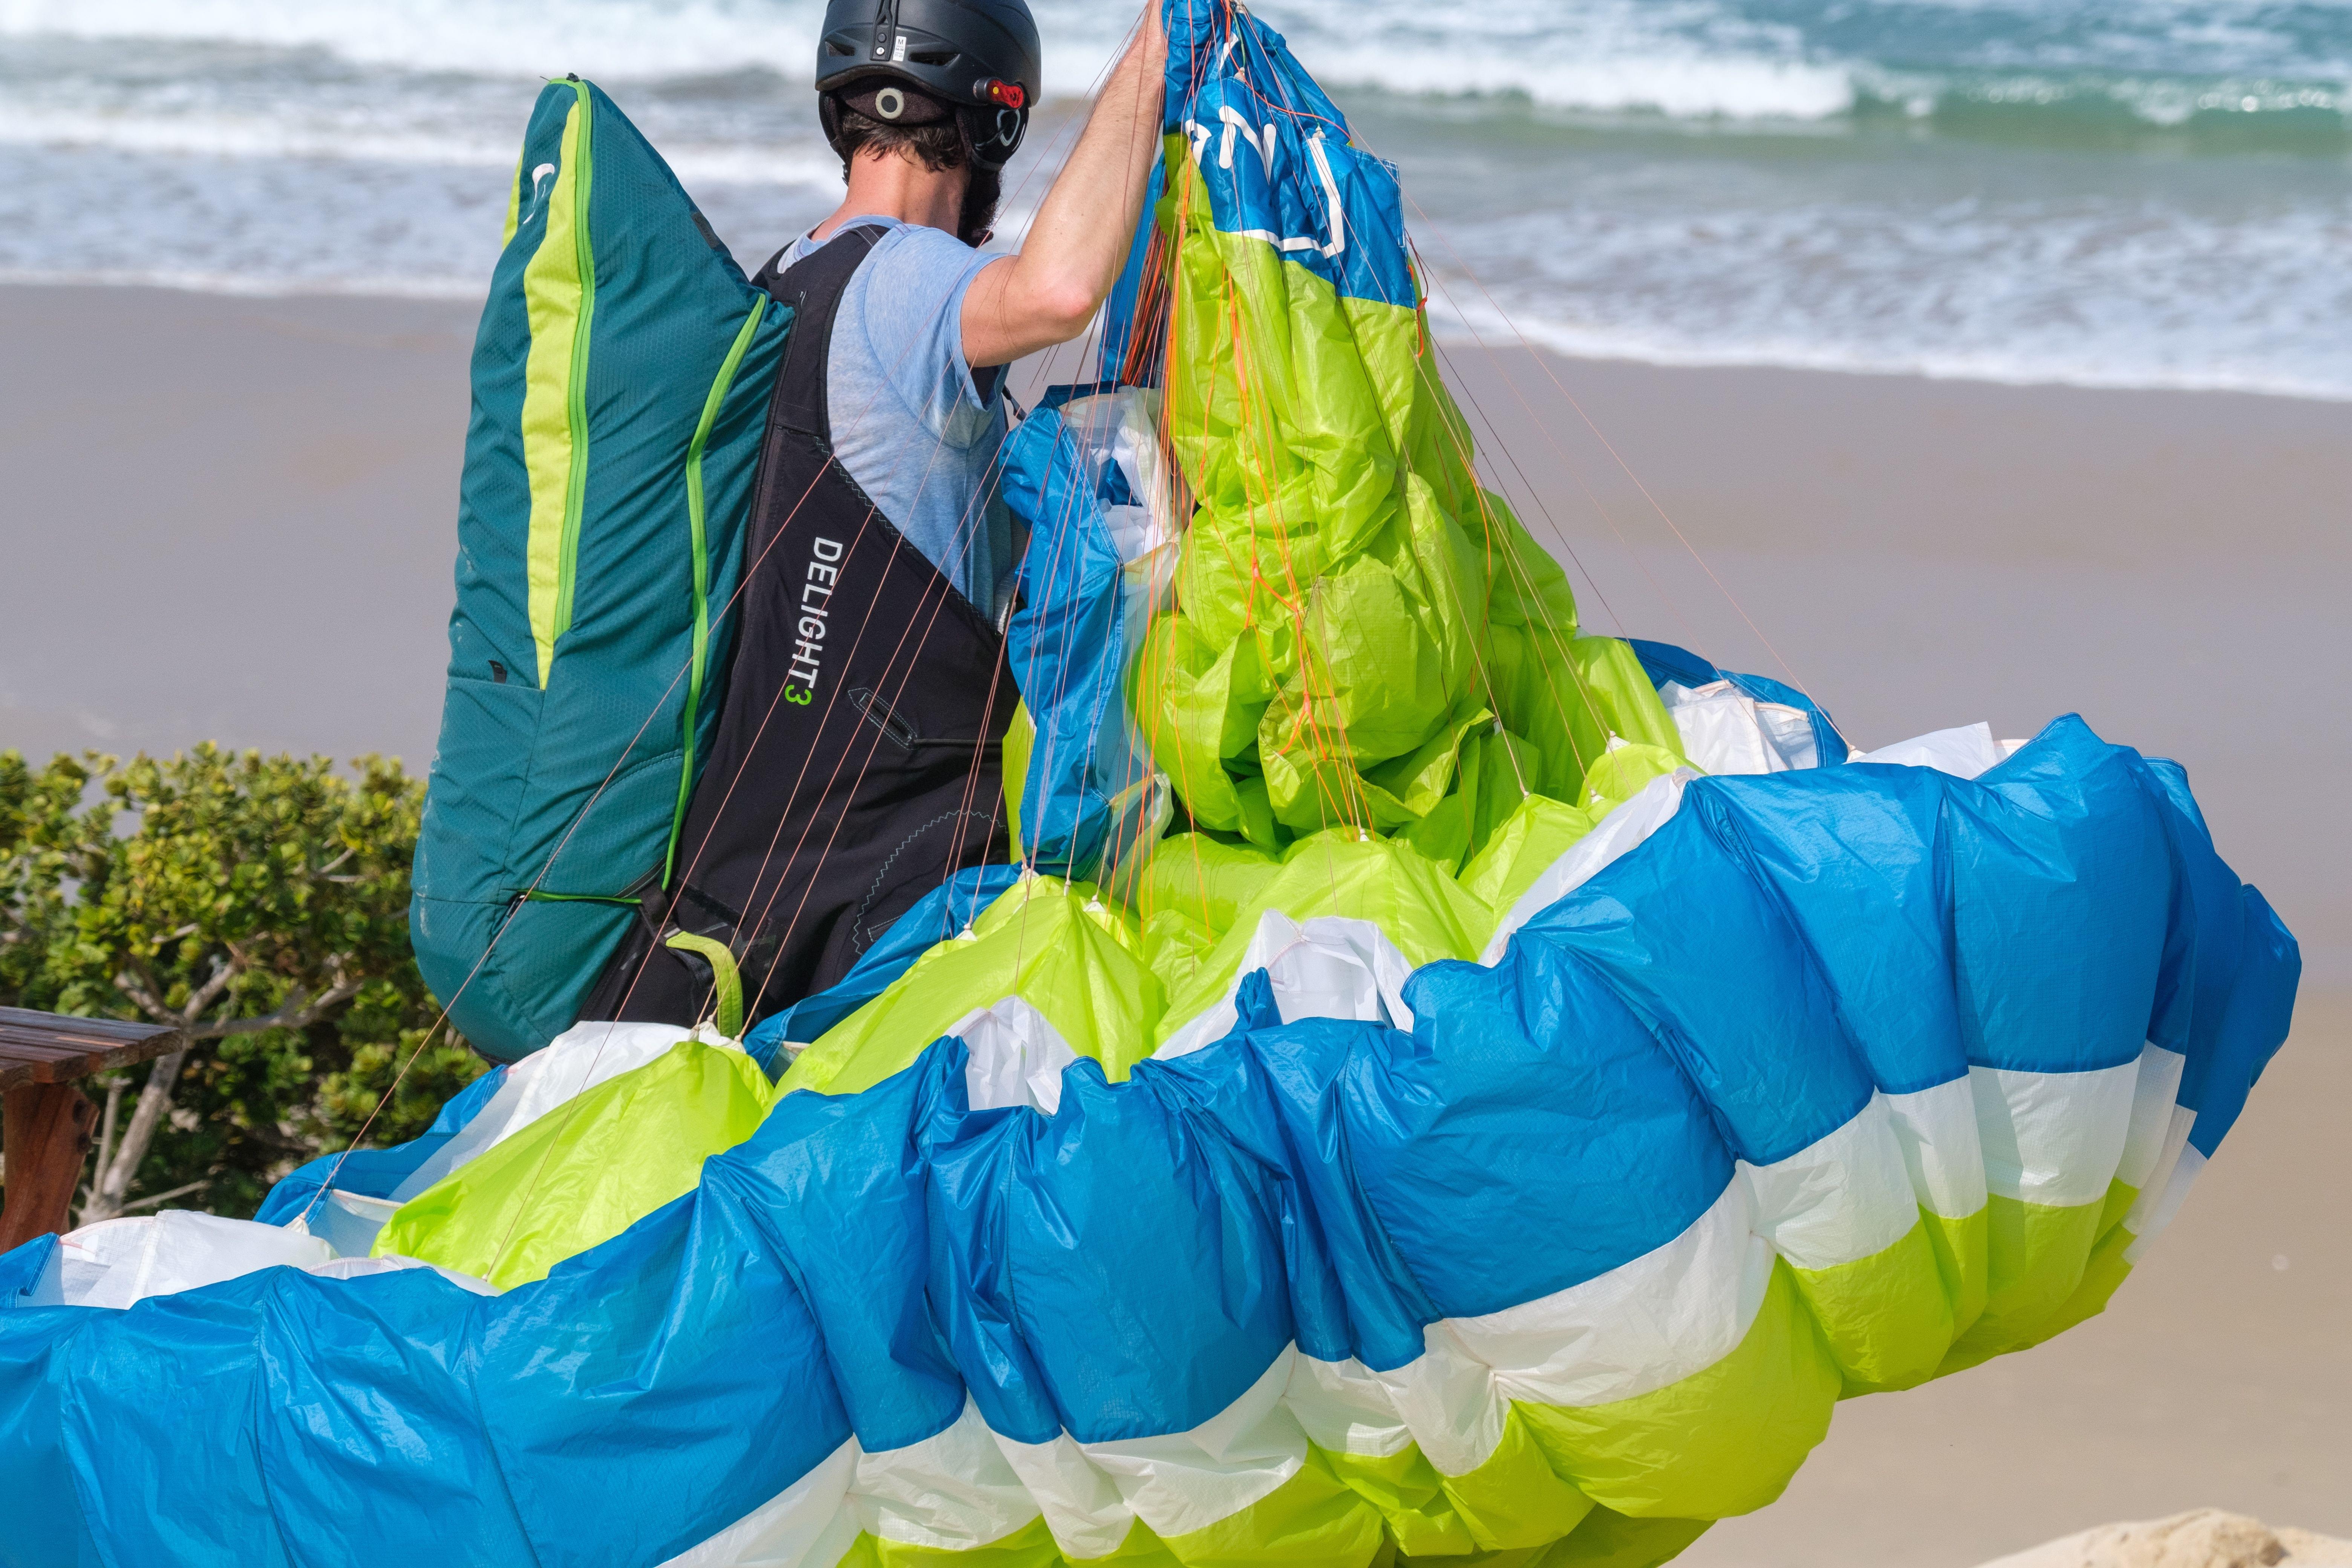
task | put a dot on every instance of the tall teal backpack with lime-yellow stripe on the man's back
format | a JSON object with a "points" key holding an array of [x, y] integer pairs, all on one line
{"points": [[620, 398]]}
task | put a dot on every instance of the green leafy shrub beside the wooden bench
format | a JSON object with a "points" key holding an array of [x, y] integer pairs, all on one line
{"points": [[258, 904]]}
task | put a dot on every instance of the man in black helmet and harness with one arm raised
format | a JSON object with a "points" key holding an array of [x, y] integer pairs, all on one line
{"points": [[857, 760]]}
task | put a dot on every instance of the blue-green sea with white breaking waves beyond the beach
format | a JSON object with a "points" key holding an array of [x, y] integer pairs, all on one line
{"points": [[2080, 192]]}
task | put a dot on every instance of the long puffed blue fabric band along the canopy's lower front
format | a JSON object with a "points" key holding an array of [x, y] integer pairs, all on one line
{"points": [[1782, 956]]}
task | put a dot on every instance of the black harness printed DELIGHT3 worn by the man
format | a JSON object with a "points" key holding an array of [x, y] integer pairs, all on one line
{"points": [[860, 749]]}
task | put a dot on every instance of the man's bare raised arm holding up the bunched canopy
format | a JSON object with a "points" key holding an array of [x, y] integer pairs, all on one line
{"points": [[1078, 246]]}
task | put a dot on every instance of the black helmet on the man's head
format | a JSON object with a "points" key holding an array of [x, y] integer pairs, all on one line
{"points": [[980, 58]]}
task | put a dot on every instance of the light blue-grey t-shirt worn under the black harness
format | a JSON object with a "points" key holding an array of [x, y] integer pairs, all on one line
{"points": [[909, 420]]}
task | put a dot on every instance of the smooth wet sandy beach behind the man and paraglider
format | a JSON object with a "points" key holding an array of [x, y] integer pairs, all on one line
{"points": [[234, 518]]}
